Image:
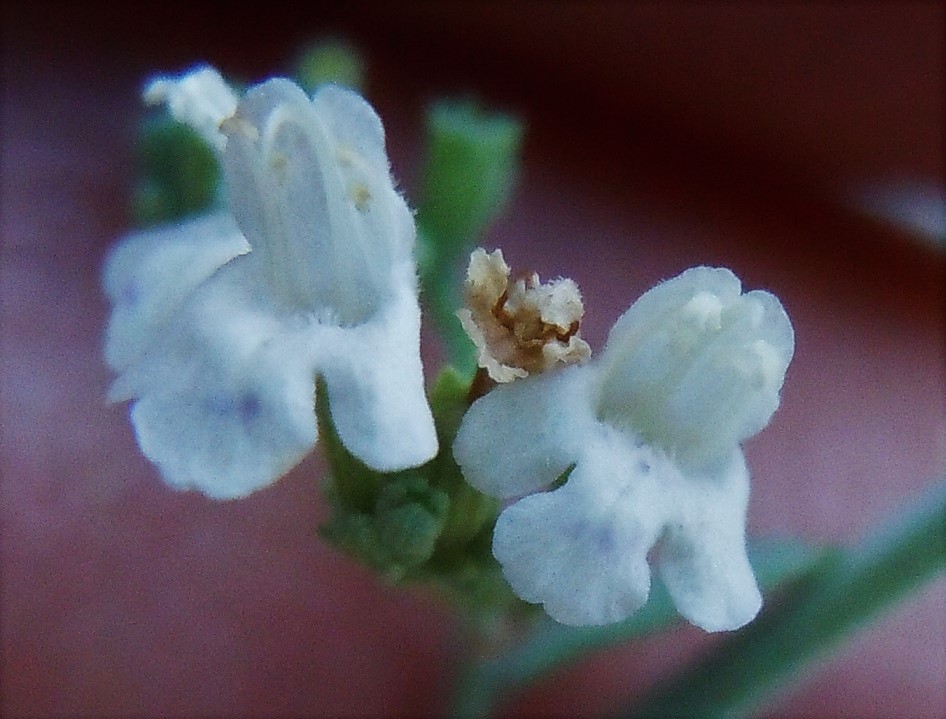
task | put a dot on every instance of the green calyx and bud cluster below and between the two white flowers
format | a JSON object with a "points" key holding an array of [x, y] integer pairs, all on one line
{"points": [[423, 525]]}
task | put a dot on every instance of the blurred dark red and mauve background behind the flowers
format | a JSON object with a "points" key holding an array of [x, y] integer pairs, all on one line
{"points": [[660, 136]]}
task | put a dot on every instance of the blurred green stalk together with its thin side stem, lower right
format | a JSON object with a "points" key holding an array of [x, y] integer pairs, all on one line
{"points": [[823, 597]]}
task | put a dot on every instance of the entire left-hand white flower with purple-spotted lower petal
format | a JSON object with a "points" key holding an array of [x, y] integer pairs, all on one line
{"points": [[221, 325]]}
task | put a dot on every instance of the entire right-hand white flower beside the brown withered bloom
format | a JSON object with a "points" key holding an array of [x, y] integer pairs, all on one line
{"points": [[651, 433]]}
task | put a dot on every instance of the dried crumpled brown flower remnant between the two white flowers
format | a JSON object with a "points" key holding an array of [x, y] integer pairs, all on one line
{"points": [[522, 328]]}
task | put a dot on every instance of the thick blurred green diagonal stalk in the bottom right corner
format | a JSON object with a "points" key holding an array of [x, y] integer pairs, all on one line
{"points": [[836, 598]]}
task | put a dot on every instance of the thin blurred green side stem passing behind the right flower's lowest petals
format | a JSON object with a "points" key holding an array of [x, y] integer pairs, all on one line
{"points": [[550, 645]]}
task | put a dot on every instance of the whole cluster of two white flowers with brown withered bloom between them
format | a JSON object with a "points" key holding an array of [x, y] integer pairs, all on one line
{"points": [[223, 324]]}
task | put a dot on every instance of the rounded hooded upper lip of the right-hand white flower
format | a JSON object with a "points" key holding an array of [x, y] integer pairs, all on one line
{"points": [[695, 366]]}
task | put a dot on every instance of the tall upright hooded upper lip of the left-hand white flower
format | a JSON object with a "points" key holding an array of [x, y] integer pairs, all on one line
{"points": [[326, 220]]}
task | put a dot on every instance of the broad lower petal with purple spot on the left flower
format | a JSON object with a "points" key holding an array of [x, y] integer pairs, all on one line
{"points": [[226, 401]]}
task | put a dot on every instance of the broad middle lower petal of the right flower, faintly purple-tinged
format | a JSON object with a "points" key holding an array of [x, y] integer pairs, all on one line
{"points": [[581, 550]]}
